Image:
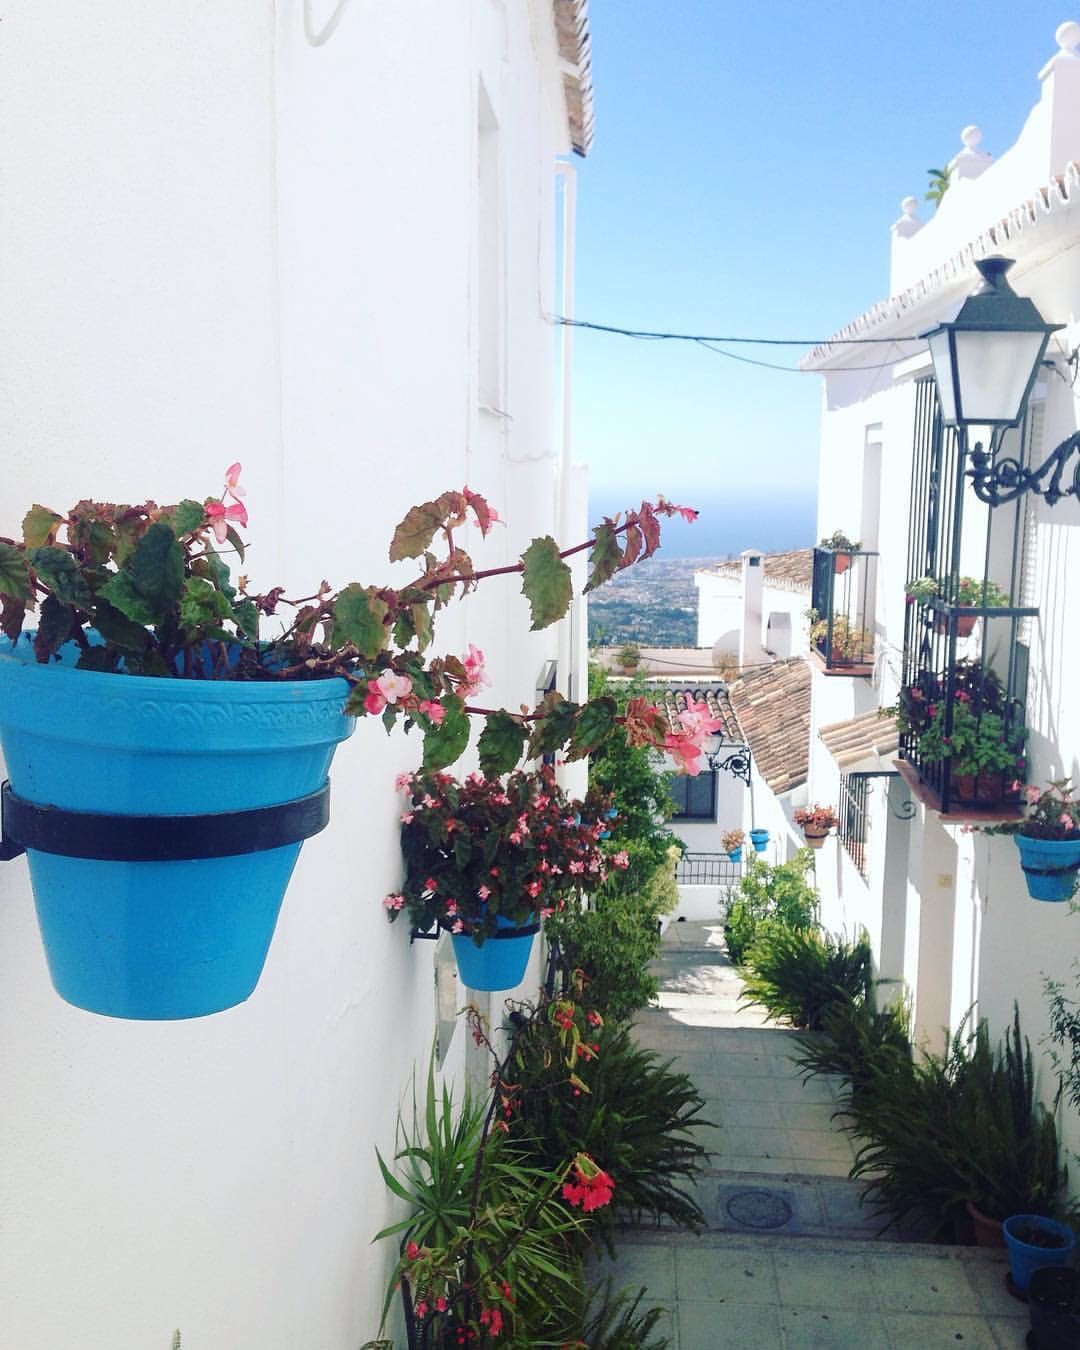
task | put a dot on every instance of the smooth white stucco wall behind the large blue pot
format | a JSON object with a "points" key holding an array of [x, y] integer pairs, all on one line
{"points": [[223, 244]]}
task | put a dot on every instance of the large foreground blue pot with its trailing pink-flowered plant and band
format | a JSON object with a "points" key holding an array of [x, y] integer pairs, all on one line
{"points": [[167, 758]]}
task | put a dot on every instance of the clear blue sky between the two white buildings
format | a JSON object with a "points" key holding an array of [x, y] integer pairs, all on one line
{"points": [[750, 160]]}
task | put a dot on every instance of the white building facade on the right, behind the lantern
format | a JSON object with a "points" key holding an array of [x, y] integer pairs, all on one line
{"points": [[947, 907]]}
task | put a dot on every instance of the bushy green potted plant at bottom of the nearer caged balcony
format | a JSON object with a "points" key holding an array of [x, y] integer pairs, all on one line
{"points": [[981, 751]]}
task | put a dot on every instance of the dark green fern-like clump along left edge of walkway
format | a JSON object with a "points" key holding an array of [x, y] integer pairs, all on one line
{"points": [[639, 1120]]}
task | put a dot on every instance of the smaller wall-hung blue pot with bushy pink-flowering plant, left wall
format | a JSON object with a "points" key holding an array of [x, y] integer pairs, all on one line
{"points": [[488, 858]]}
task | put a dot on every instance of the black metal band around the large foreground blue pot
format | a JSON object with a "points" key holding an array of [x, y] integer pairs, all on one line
{"points": [[156, 839]]}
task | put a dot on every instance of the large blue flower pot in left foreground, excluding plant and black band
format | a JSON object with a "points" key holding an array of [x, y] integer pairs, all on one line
{"points": [[161, 940]]}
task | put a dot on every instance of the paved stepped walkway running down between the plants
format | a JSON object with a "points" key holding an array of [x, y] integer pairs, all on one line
{"points": [[790, 1260]]}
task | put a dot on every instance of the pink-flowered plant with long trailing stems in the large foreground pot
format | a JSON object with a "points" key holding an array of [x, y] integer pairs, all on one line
{"points": [[146, 591]]}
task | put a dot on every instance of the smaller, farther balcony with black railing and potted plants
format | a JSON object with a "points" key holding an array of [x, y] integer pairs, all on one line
{"points": [[842, 626]]}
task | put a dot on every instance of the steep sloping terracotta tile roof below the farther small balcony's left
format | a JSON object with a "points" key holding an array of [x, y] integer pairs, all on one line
{"points": [[773, 707]]}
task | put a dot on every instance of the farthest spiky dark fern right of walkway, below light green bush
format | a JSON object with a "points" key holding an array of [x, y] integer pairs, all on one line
{"points": [[800, 975]]}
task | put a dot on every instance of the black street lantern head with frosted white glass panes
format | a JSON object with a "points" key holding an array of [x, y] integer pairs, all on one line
{"points": [[988, 358]]}
